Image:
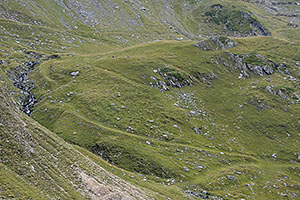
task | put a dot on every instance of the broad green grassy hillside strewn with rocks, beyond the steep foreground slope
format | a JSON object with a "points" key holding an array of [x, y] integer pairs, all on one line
{"points": [[116, 107]]}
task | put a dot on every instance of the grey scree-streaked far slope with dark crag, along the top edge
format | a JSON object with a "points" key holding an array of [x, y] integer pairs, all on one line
{"points": [[139, 19]]}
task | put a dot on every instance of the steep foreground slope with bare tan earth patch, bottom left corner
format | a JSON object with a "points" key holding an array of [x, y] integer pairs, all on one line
{"points": [[36, 164]]}
